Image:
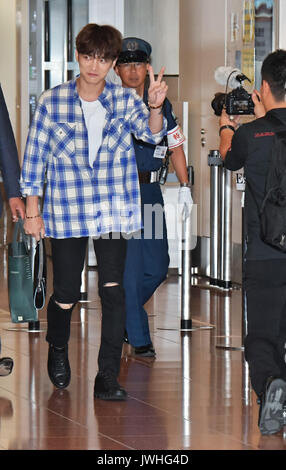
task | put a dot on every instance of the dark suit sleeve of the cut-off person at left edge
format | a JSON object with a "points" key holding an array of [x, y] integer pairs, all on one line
{"points": [[9, 161]]}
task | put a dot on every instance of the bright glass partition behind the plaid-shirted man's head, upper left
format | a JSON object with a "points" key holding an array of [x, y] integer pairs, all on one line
{"points": [[53, 27]]}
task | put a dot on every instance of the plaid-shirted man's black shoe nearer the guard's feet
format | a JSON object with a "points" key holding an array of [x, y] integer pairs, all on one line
{"points": [[106, 387]]}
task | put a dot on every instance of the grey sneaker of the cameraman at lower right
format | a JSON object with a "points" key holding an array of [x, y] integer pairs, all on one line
{"points": [[272, 401]]}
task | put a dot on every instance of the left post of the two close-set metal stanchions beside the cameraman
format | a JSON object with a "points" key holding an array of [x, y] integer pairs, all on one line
{"points": [[214, 162]]}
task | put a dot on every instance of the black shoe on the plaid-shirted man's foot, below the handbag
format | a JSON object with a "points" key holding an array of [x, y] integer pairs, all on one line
{"points": [[58, 366]]}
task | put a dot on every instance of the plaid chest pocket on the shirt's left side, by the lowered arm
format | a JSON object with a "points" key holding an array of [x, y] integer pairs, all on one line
{"points": [[62, 141]]}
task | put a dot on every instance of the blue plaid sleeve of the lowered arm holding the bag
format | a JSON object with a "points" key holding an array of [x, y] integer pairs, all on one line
{"points": [[36, 153]]}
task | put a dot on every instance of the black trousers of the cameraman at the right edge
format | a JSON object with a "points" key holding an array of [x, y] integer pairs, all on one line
{"points": [[265, 284]]}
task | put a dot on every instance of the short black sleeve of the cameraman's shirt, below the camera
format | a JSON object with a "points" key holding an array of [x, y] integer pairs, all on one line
{"points": [[236, 156]]}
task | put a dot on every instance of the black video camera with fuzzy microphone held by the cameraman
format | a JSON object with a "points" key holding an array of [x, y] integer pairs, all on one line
{"points": [[237, 102]]}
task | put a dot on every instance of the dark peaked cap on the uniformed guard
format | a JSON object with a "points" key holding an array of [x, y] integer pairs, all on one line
{"points": [[134, 50]]}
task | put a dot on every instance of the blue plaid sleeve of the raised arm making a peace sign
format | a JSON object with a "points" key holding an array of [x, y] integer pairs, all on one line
{"points": [[139, 120]]}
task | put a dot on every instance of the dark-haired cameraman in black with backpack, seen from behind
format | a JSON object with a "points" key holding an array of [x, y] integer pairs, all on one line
{"points": [[260, 147]]}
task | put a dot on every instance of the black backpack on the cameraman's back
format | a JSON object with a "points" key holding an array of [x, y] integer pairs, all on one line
{"points": [[272, 213]]}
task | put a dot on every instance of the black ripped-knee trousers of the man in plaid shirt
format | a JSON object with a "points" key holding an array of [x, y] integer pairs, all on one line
{"points": [[68, 257]]}
